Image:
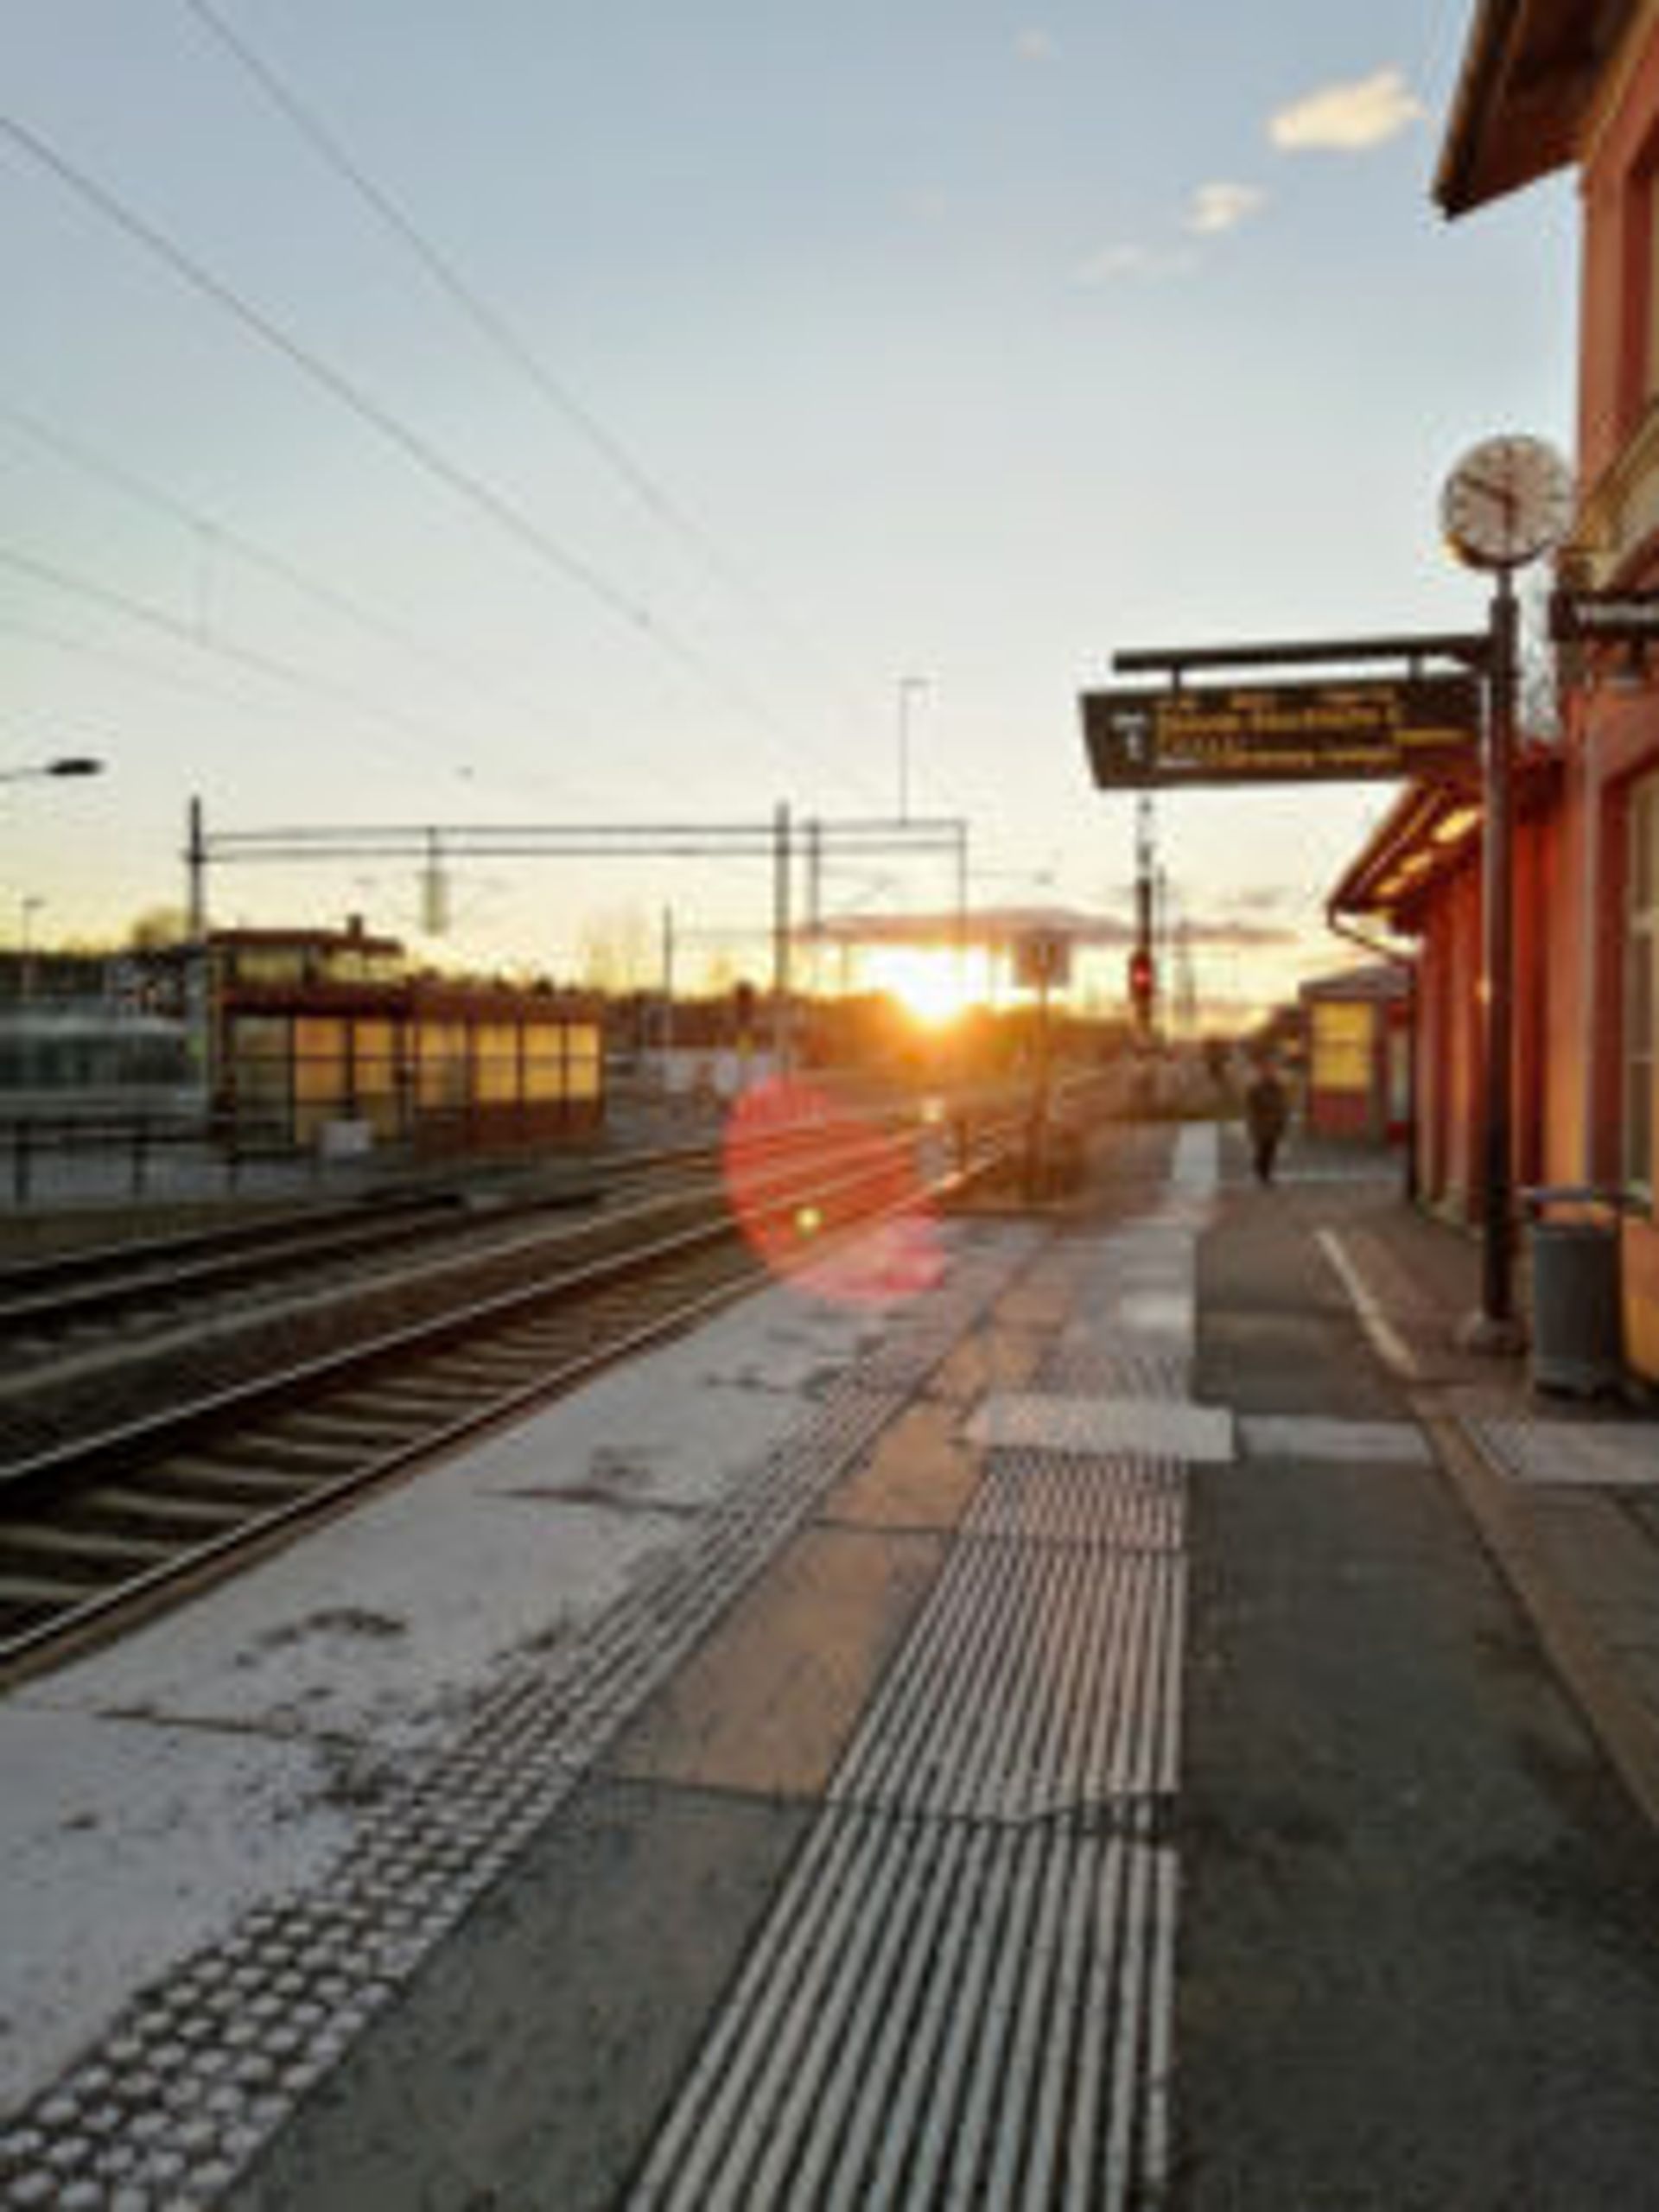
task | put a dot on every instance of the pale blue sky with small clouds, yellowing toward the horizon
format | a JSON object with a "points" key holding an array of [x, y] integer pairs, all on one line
{"points": [[930, 340]]}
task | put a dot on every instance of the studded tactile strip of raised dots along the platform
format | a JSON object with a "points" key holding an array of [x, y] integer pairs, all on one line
{"points": [[211, 2060]]}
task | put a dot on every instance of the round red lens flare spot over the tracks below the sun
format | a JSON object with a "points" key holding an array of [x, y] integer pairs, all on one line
{"points": [[786, 1129]]}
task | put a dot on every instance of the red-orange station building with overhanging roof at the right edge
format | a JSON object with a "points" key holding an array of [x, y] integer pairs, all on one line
{"points": [[1550, 85]]}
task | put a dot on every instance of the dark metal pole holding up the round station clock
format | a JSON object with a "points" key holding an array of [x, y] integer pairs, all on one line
{"points": [[1496, 1324]]}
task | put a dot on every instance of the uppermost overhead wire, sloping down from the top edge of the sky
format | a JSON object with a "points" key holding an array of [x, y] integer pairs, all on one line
{"points": [[499, 331]]}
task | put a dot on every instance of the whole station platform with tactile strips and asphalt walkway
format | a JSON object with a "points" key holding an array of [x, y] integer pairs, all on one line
{"points": [[970, 1726]]}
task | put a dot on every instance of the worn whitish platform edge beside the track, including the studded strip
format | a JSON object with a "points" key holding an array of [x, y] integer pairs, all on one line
{"points": [[309, 1698]]}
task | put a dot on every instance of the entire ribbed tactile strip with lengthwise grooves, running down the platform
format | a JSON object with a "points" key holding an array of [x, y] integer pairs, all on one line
{"points": [[963, 1992]]}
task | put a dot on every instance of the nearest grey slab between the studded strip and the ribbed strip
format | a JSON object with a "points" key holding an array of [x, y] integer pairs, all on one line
{"points": [[530, 2060]]}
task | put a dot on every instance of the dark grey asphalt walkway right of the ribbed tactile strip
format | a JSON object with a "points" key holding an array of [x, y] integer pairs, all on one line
{"points": [[1419, 1961]]}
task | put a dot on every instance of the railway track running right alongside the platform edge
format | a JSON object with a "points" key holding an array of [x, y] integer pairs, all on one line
{"points": [[116, 1523]]}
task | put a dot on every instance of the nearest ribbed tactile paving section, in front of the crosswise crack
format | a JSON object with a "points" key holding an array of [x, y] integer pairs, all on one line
{"points": [[939, 2014]]}
